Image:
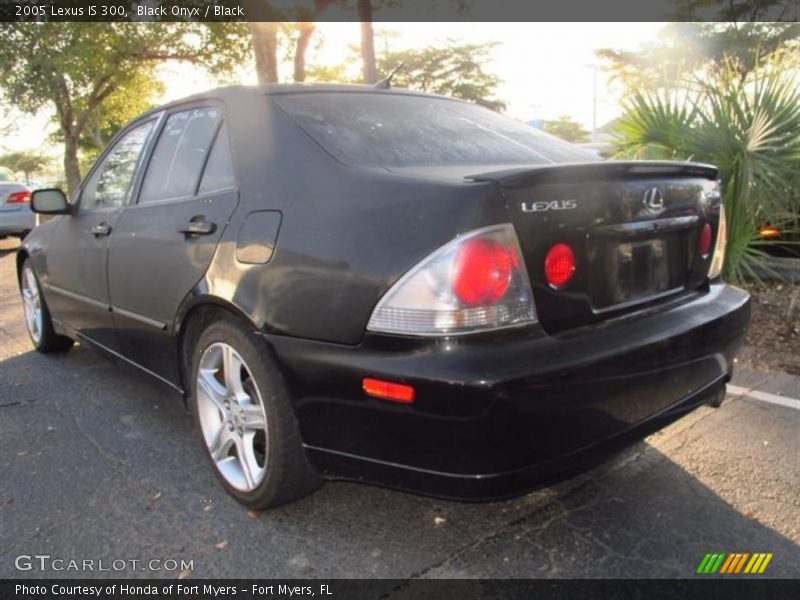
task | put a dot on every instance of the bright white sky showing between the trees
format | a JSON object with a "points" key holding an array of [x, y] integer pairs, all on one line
{"points": [[546, 68]]}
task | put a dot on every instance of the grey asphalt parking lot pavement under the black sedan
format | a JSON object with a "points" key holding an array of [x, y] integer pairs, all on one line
{"points": [[96, 463]]}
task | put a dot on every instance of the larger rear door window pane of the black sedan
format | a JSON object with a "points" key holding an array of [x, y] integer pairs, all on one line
{"points": [[180, 154]]}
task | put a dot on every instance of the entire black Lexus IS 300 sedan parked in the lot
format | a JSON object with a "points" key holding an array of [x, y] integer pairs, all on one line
{"points": [[390, 287]]}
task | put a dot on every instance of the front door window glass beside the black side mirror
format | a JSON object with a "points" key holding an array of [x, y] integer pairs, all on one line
{"points": [[109, 184]]}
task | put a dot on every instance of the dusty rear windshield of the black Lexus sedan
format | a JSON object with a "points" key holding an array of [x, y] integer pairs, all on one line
{"points": [[396, 130]]}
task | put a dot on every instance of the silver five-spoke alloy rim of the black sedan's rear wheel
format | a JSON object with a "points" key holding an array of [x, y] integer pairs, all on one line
{"points": [[232, 417]]}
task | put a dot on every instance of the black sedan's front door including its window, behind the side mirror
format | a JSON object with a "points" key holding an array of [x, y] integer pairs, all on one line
{"points": [[77, 250]]}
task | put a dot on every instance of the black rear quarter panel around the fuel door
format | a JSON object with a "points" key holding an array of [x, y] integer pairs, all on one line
{"points": [[346, 233]]}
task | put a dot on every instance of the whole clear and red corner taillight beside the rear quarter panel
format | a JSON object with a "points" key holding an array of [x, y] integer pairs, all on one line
{"points": [[476, 282]]}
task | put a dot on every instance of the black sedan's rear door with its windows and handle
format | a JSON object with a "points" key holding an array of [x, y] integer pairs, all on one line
{"points": [[164, 242]]}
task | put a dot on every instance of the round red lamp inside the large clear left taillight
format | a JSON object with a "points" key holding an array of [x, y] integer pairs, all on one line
{"points": [[482, 271]]}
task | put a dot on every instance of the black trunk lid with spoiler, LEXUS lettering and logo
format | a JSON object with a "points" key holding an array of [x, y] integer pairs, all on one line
{"points": [[634, 228]]}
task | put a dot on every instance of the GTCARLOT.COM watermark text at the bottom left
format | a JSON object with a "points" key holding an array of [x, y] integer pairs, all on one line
{"points": [[46, 562]]}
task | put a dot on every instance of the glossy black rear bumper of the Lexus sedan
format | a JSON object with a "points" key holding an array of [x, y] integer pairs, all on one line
{"points": [[499, 414]]}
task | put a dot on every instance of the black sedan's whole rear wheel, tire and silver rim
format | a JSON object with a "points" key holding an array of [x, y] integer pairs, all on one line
{"points": [[246, 421]]}
